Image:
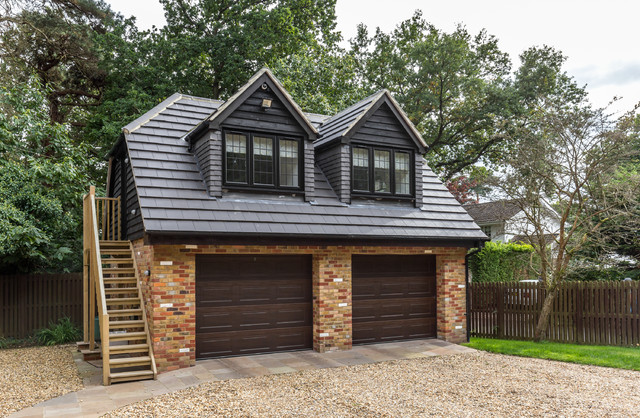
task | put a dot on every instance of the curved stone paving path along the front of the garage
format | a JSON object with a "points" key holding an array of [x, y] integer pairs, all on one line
{"points": [[96, 400]]}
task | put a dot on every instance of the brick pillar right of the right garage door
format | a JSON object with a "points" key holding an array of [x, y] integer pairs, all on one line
{"points": [[450, 274]]}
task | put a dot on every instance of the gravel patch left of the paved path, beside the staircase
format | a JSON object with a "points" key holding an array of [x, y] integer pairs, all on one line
{"points": [[32, 375]]}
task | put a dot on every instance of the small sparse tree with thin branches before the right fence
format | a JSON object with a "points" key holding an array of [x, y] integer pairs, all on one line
{"points": [[568, 155]]}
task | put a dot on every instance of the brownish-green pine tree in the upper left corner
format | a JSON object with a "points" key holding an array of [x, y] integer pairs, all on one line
{"points": [[53, 39]]}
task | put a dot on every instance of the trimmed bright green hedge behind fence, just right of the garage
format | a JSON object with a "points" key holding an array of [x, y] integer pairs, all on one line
{"points": [[498, 262]]}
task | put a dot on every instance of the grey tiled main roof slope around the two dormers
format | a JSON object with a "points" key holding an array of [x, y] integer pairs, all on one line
{"points": [[174, 199]]}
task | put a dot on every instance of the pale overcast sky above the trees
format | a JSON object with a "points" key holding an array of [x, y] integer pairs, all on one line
{"points": [[600, 38]]}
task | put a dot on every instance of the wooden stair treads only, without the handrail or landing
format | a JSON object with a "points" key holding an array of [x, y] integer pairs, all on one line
{"points": [[130, 352]]}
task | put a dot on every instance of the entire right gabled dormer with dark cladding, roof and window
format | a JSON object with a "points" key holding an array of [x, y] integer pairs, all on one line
{"points": [[371, 151]]}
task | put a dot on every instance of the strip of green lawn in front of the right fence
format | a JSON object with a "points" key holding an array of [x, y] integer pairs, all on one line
{"points": [[596, 355]]}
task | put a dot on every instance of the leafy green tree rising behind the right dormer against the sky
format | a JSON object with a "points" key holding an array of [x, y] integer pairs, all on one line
{"points": [[455, 87]]}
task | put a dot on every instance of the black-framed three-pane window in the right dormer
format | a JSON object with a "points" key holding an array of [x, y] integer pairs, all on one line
{"points": [[381, 172]]}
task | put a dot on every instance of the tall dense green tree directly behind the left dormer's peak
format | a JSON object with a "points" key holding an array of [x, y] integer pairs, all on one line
{"points": [[212, 47]]}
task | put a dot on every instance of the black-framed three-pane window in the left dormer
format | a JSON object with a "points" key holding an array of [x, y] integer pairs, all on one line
{"points": [[261, 161]]}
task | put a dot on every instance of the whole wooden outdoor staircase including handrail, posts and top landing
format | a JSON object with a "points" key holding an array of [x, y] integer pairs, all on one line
{"points": [[112, 291]]}
